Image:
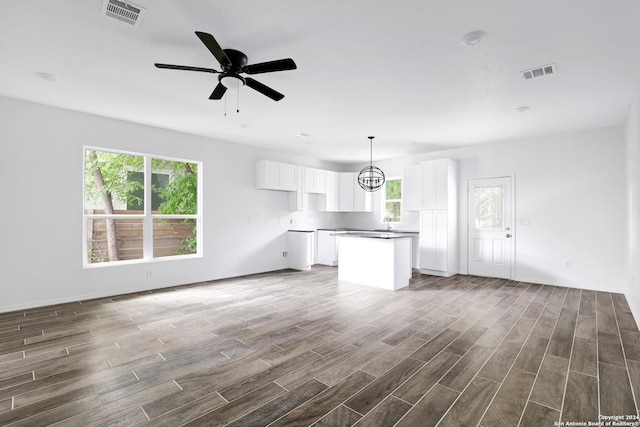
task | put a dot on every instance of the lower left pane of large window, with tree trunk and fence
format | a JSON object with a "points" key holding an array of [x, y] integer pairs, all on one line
{"points": [[113, 240]]}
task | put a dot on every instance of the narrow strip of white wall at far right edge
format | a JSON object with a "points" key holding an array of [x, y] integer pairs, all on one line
{"points": [[632, 137]]}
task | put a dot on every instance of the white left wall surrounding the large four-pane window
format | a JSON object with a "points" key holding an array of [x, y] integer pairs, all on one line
{"points": [[41, 195]]}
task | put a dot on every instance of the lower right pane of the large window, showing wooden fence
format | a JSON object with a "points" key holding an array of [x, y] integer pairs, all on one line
{"points": [[174, 237]]}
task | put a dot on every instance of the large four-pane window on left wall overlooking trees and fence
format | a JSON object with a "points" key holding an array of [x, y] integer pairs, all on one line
{"points": [[139, 207]]}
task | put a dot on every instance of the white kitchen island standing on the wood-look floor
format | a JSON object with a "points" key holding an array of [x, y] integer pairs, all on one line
{"points": [[378, 259]]}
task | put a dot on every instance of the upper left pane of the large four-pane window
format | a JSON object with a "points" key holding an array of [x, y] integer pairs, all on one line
{"points": [[108, 187]]}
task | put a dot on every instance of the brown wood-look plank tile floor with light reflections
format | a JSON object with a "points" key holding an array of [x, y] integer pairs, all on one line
{"points": [[298, 348]]}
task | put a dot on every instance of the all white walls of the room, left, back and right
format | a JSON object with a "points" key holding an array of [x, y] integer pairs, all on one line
{"points": [[571, 186]]}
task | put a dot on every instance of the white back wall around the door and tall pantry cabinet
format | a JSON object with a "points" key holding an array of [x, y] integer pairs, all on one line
{"points": [[571, 186]]}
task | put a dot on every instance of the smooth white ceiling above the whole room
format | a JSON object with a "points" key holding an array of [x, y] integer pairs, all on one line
{"points": [[393, 69]]}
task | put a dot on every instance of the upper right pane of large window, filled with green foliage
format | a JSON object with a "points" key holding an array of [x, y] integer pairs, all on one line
{"points": [[175, 186]]}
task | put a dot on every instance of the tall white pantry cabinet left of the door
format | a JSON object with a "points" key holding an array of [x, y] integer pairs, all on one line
{"points": [[431, 188]]}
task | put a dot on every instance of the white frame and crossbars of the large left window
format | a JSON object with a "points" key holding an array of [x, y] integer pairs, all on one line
{"points": [[147, 216]]}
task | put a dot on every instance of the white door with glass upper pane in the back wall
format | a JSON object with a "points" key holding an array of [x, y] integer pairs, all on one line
{"points": [[490, 236]]}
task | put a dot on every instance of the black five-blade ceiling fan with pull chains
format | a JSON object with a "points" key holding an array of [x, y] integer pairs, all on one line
{"points": [[233, 63]]}
